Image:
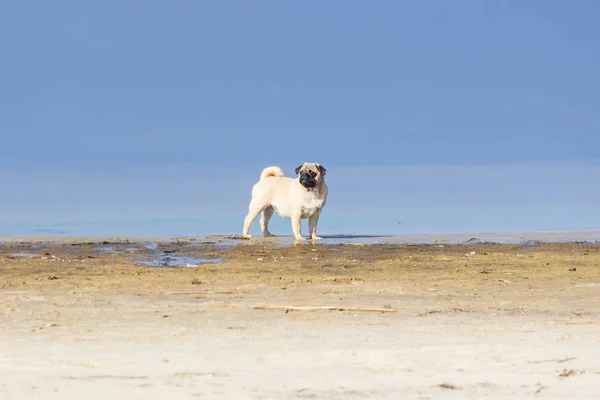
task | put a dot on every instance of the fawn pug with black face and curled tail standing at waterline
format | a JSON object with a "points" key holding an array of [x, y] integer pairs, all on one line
{"points": [[295, 198]]}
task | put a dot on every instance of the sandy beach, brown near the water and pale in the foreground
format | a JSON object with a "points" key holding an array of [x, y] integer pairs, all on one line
{"points": [[478, 320]]}
